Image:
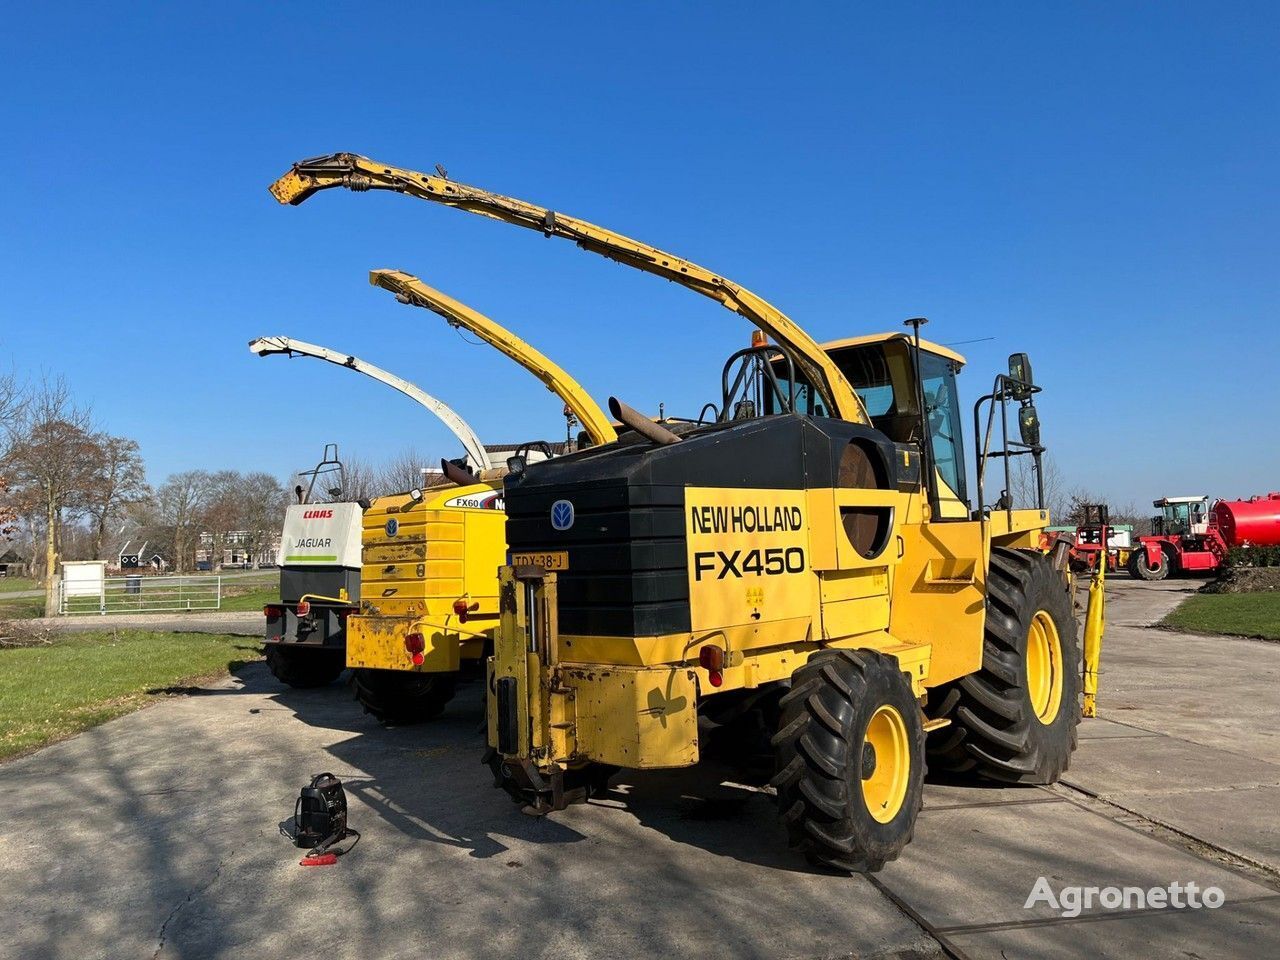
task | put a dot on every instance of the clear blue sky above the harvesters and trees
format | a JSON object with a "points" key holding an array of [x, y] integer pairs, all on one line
{"points": [[1094, 184]]}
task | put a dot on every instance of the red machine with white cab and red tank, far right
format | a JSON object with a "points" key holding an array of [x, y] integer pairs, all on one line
{"points": [[1190, 537]]}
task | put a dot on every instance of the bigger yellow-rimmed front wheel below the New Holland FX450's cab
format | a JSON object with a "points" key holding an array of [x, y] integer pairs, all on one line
{"points": [[1016, 720]]}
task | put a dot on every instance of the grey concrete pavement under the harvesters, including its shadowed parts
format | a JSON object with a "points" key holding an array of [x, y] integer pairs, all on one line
{"points": [[157, 835]]}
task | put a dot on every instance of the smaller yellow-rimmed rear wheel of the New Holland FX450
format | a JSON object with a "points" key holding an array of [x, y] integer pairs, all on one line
{"points": [[851, 760]]}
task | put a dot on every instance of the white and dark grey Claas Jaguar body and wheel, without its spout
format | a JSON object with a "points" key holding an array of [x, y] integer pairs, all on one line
{"points": [[319, 579]]}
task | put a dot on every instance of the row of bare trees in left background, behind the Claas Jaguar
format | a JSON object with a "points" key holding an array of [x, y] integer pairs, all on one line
{"points": [[71, 491]]}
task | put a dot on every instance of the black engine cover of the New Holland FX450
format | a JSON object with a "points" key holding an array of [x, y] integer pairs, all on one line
{"points": [[628, 559]]}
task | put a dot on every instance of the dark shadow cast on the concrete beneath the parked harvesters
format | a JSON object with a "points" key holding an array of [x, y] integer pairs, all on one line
{"points": [[427, 783]]}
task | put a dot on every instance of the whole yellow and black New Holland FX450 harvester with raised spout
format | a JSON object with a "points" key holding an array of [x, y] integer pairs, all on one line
{"points": [[808, 556]]}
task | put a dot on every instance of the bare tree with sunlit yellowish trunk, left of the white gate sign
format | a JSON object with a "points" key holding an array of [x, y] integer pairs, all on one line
{"points": [[51, 460]]}
